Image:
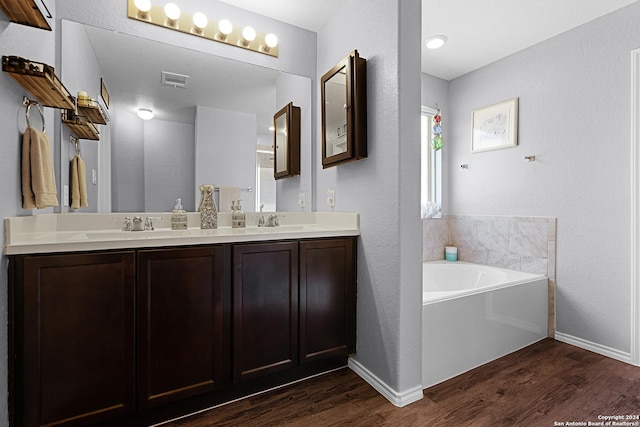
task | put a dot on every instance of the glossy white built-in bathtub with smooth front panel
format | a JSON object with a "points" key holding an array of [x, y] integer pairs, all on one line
{"points": [[473, 314]]}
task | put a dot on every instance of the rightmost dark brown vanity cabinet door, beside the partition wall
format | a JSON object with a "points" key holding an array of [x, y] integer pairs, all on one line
{"points": [[327, 298]]}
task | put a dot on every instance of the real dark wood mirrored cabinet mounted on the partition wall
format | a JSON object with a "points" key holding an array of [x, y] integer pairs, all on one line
{"points": [[344, 111]]}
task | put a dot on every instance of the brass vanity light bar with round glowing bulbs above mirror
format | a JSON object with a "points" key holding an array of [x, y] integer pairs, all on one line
{"points": [[245, 38]]}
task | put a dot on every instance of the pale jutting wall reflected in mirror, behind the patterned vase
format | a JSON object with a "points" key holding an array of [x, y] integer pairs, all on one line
{"points": [[226, 152]]}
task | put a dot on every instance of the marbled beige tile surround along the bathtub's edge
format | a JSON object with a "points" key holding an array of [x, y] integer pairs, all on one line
{"points": [[515, 242]]}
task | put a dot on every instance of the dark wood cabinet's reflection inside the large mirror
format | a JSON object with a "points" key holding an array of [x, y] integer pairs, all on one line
{"points": [[286, 142]]}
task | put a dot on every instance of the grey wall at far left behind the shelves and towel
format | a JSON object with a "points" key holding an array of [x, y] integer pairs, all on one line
{"points": [[37, 45]]}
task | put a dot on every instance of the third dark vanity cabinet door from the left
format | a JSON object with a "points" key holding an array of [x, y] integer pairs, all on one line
{"points": [[265, 309]]}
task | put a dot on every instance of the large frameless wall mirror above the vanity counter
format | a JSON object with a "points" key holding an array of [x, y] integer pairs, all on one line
{"points": [[212, 129]]}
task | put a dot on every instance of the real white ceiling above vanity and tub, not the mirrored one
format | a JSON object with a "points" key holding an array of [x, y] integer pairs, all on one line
{"points": [[479, 31]]}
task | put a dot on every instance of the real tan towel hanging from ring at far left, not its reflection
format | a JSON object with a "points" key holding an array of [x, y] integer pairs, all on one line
{"points": [[38, 174]]}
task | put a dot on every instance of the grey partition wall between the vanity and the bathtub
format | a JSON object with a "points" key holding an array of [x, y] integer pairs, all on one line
{"points": [[383, 188]]}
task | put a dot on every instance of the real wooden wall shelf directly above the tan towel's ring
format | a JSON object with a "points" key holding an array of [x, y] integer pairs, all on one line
{"points": [[39, 80]]}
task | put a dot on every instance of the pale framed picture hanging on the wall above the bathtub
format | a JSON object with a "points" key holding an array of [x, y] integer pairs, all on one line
{"points": [[495, 126]]}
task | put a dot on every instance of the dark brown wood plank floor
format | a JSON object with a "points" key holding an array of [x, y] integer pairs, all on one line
{"points": [[545, 384]]}
